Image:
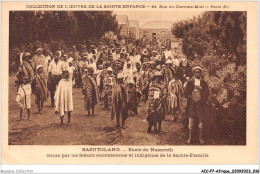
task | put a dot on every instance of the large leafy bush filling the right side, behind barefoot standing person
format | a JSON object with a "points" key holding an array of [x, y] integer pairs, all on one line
{"points": [[216, 41]]}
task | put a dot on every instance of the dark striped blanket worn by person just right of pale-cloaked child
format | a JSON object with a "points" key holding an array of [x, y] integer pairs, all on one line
{"points": [[90, 91]]}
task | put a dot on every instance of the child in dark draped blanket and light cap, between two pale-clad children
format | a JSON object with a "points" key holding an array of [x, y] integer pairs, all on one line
{"points": [[39, 86]]}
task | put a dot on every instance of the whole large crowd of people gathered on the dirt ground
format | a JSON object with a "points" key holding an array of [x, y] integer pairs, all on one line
{"points": [[118, 74]]}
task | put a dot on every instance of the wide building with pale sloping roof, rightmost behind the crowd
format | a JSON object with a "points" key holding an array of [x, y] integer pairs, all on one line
{"points": [[158, 29]]}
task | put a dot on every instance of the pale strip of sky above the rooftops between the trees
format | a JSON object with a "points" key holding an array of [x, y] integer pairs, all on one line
{"points": [[146, 16]]}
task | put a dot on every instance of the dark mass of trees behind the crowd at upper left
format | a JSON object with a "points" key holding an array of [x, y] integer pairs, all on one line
{"points": [[69, 26]]}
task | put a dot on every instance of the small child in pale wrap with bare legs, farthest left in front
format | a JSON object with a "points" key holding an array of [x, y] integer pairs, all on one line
{"points": [[24, 97]]}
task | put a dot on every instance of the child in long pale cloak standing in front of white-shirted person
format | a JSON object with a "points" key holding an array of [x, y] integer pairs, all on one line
{"points": [[63, 97]]}
